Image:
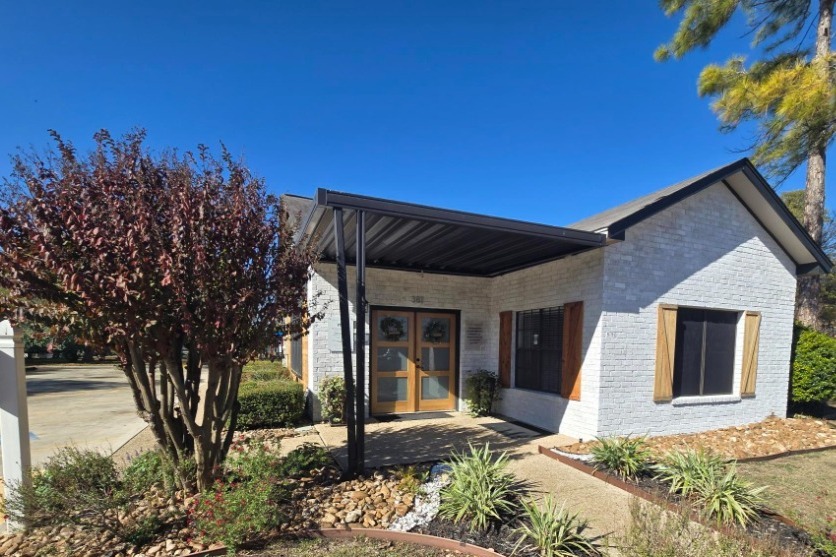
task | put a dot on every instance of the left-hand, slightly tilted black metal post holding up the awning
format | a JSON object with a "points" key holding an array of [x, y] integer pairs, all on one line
{"points": [[345, 328]]}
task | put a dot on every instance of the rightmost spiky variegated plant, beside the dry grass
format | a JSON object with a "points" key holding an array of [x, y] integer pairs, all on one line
{"points": [[727, 498]]}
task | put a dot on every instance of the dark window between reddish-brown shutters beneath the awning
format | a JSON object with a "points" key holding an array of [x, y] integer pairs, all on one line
{"points": [[556, 348]]}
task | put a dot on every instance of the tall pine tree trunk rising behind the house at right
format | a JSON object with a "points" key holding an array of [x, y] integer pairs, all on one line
{"points": [[808, 296]]}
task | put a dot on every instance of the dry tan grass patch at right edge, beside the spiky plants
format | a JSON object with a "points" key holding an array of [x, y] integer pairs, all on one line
{"points": [[801, 487]]}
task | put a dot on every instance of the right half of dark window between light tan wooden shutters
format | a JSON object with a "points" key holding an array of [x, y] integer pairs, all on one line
{"points": [[719, 352]]}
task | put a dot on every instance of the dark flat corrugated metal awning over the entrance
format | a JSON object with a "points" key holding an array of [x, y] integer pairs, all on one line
{"points": [[419, 238]]}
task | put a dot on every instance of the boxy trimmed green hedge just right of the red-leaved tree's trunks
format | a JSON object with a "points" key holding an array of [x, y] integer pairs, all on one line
{"points": [[279, 404]]}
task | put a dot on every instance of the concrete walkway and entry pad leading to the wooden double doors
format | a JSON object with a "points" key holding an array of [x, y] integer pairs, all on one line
{"points": [[415, 439]]}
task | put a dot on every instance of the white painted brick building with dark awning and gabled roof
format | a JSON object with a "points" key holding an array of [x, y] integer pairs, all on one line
{"points": [[672, 313]]}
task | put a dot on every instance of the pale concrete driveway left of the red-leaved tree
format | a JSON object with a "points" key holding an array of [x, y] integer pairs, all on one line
{"points": [[89, 406]]}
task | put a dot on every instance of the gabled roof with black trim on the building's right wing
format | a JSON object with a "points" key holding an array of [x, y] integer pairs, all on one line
{"points": [[747, 185]]}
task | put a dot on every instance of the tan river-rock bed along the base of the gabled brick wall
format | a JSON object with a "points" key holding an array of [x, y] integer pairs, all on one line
{"points": [[772, 436]]}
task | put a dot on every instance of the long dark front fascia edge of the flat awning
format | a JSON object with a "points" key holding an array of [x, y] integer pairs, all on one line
{"points": [[327, 198]]}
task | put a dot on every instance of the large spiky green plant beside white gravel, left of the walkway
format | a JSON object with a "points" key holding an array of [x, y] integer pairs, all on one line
{"points": [[481, 492]]}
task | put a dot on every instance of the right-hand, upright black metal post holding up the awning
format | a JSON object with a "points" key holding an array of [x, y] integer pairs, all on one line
{"points": [[360, 340]]}
